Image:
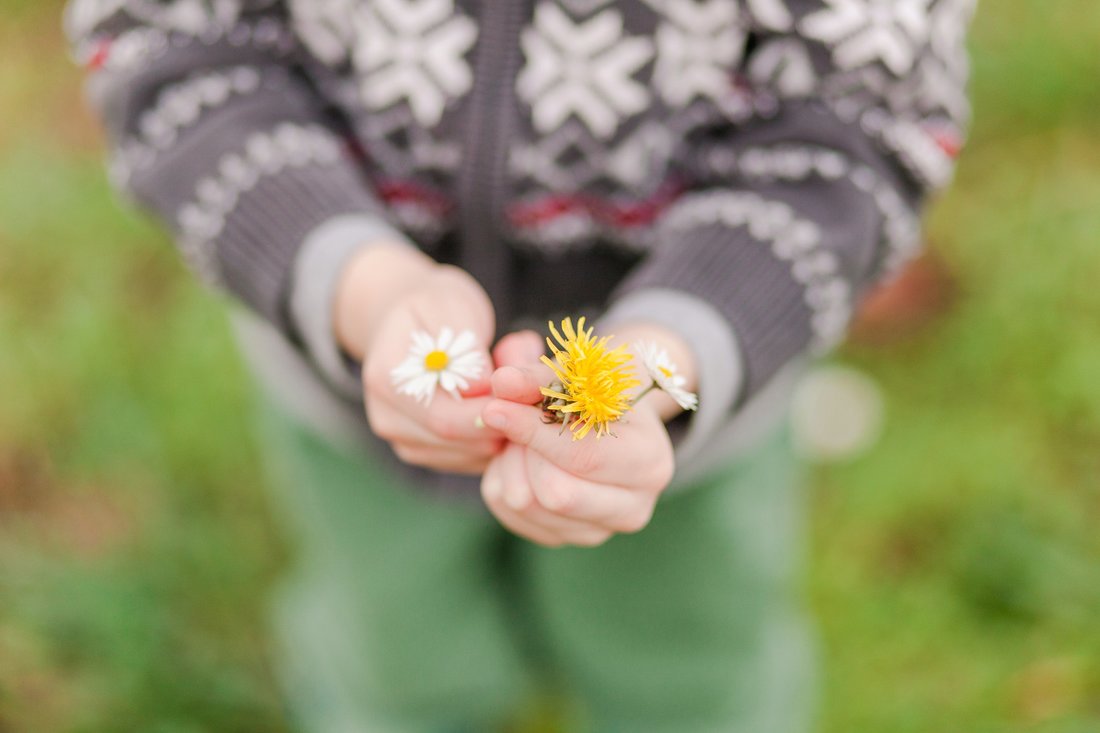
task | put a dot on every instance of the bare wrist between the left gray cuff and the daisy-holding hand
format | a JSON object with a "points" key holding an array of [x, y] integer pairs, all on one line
{"points": [[371, 282]]}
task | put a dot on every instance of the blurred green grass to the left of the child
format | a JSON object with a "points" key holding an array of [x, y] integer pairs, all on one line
{"points": [[136, 548]]}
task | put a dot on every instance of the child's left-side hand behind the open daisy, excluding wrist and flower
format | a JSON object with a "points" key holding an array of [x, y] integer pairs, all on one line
{"points": [[445, 435]]}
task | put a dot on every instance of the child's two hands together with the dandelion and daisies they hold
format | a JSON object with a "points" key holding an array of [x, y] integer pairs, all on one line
{"points": [[432, 329]]}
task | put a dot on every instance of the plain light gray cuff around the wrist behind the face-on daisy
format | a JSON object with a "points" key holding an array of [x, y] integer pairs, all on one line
{"points": [[316, 275]]}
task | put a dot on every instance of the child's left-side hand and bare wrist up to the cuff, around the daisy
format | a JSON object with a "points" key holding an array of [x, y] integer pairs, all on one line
{"points": [[386, 296]]}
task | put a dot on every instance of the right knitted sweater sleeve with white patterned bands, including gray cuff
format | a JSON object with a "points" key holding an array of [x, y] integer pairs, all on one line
{"points": [[848, 115]]}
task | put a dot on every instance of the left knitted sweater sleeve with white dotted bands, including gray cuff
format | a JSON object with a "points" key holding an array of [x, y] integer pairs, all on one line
{"points": [[216, 130]]}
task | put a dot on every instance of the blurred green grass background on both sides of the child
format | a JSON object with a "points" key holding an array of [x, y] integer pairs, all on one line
{"points": [[955, 570]]}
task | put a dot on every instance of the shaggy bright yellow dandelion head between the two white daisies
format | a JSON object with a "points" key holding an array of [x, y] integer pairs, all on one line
{"points": [[593, 380]]}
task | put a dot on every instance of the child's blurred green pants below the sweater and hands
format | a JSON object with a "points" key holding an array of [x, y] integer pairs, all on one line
{"points": [[413, 615]]}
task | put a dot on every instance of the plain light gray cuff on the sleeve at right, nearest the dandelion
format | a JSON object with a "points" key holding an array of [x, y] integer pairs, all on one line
{"points": [[714, 344]]}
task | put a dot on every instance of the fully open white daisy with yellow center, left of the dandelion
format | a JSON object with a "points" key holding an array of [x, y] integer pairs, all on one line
{"points": [[448, 362]]}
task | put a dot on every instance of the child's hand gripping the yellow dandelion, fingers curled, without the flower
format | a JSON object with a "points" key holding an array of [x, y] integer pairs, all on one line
{"points": [[556, 491]]}
